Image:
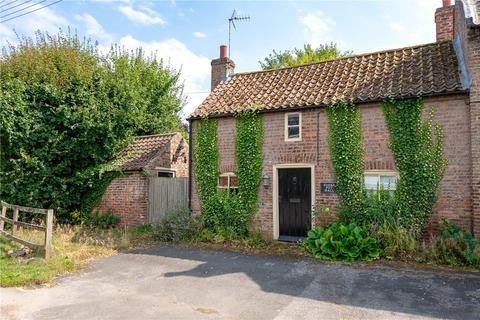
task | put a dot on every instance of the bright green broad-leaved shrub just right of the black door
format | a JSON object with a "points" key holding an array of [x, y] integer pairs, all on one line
{"points": [[342, 242]]}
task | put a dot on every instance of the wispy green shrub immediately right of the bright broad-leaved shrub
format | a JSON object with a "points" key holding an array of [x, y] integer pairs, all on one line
{"points": [[397, 242]]}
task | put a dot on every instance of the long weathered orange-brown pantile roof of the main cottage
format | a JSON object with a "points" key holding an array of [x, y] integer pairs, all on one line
{"points": [[425, 70]]}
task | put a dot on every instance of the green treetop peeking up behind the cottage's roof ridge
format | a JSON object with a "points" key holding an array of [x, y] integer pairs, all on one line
{"points": [[287, 58]]}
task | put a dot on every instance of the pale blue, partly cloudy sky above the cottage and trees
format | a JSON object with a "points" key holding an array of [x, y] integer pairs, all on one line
{"points": [[187, 34]]}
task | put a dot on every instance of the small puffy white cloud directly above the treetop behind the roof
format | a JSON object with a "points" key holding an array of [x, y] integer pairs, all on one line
{"points": [[318, 28]]}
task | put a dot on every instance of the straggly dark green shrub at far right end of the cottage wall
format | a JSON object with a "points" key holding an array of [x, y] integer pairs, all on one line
{"points": [[454, 247]]}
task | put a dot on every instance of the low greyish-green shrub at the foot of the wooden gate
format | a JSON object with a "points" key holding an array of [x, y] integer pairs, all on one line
{"points": [[177, 226]]}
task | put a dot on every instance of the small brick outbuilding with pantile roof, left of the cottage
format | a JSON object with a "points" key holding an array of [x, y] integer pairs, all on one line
{"points": [[161, 155]]}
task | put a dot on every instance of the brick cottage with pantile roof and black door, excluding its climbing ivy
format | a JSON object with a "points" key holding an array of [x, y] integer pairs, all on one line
{"points": [[295, 150]]}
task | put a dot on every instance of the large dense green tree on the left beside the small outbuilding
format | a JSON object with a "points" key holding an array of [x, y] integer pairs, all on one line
{"points": [[65, 111]]}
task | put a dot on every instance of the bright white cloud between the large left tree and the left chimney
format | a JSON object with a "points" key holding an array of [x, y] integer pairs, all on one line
{"points": [[195, 69]]}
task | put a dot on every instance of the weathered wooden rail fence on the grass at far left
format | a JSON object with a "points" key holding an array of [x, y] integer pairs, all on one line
{"points": [[47, 228]]}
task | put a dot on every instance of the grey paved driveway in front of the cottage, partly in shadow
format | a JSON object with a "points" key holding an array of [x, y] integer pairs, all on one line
{"points": [[175, 283]]}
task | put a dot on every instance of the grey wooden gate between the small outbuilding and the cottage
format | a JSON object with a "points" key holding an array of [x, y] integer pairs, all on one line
{"points": [[164, 195]]}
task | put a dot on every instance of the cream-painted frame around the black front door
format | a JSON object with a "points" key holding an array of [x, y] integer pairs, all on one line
{"points": [[276, 219]]}
